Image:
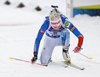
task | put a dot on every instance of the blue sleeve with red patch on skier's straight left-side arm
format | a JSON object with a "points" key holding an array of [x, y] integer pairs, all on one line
{"points": [[40, 34]]}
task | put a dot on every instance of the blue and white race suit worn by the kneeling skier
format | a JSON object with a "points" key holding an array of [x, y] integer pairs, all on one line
{"points": [[54, 37]]}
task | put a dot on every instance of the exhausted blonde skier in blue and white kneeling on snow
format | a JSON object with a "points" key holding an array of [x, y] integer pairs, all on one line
{"points": [[55, 28]]}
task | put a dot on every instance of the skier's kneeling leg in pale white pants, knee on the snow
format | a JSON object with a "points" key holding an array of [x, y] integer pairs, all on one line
{"points": [[47, 50]]}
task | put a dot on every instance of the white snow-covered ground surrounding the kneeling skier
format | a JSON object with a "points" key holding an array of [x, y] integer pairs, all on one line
{"points": [[18, 29]]}
